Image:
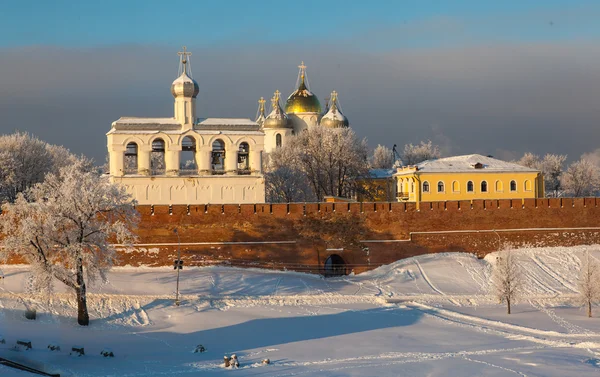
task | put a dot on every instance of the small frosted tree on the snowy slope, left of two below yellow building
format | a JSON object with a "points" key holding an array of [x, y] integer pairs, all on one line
{"points": [[506, 278]]}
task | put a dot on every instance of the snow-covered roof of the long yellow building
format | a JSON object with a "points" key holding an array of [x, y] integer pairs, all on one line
{"points": [[470, 162]]}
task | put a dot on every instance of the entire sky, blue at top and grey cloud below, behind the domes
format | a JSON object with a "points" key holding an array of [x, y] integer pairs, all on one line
{"points": [[490, 77]]}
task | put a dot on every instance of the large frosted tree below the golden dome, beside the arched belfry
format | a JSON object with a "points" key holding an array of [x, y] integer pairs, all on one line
{"points": [[330, 159]]}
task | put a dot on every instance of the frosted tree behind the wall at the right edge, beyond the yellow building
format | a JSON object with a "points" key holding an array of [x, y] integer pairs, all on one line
{"points": [[582, 178]]}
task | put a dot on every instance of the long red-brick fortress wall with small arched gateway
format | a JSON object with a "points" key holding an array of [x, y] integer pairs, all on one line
{"points": [[301, 236]]}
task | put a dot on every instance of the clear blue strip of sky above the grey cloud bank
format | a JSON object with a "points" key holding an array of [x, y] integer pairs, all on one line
{"points": [[376, 24]]}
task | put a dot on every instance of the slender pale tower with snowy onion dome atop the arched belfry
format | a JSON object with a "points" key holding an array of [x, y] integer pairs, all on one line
{"points": [[185, 89]]}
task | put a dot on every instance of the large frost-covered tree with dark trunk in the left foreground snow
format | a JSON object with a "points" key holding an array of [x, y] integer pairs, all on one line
{"points": [[65, 229]]}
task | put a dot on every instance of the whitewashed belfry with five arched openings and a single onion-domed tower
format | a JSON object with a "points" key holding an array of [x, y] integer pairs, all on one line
{"points": [[184, 160]]}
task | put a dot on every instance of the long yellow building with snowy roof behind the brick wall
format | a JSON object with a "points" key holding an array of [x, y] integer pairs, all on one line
{"points": [[466, 178]]}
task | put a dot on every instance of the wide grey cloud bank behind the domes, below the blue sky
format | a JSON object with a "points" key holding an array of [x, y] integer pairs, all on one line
{"points": [[479, 99]]}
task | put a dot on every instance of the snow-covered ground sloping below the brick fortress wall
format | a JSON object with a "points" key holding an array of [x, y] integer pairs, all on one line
{"points": [[425, 316]]}
